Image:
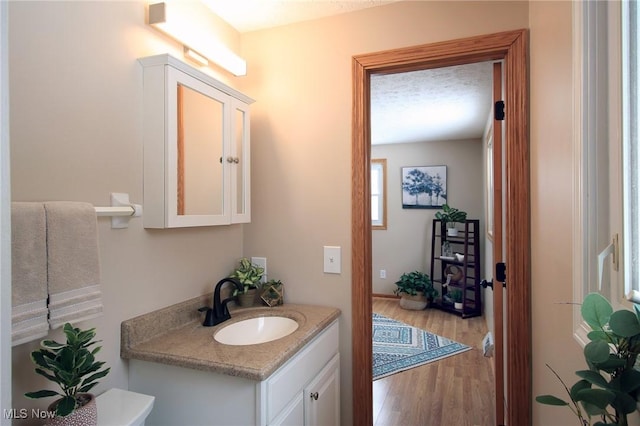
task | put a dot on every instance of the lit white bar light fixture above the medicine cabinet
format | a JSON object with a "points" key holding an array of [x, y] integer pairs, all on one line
{"points": [[169, 20]]}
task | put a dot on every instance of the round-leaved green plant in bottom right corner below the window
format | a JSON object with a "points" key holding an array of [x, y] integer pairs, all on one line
{"points": [[610, 388]]}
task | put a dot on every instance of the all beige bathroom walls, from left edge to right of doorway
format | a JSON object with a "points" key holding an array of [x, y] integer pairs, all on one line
{"points": [[76, 134]]}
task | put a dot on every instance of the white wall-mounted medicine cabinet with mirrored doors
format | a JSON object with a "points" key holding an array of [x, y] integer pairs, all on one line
{"points": [[196, 147]]}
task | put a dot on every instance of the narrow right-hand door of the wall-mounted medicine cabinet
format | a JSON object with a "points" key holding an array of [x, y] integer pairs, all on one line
{"points": [[240, 162]]}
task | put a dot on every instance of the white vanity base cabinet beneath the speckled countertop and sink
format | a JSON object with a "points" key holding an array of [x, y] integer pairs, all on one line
{"points": [[305, 390]]}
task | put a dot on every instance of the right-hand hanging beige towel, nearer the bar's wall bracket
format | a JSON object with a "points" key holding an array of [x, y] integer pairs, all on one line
{"points": [[72, 262]]}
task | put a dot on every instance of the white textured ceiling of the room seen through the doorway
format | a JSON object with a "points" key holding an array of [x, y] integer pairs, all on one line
{"points": [[437, 104]]}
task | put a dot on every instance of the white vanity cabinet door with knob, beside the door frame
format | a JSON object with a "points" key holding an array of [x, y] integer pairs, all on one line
{"points": [[322, 396]]}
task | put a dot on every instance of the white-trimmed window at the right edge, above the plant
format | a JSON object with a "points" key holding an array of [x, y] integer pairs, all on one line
{"points": [[607, 203]]}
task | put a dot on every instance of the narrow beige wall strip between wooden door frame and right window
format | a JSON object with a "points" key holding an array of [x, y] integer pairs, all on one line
{"points": [[551, 199]]}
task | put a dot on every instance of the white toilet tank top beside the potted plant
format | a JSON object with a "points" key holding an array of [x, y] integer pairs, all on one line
{"points": [[117, 407]]}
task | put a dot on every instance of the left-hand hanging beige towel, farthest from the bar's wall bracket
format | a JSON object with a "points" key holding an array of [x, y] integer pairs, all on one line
{"points": [[29, 273]]}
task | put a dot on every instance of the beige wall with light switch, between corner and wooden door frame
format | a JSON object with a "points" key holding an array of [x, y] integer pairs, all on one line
{"points": [[301, 135]]}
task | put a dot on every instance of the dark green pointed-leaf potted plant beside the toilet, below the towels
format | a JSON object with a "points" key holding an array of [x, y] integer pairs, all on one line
{"points": [[72, 366]]}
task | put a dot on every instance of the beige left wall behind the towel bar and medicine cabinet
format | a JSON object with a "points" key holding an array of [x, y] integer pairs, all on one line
{"points": [[76, 134]]}
